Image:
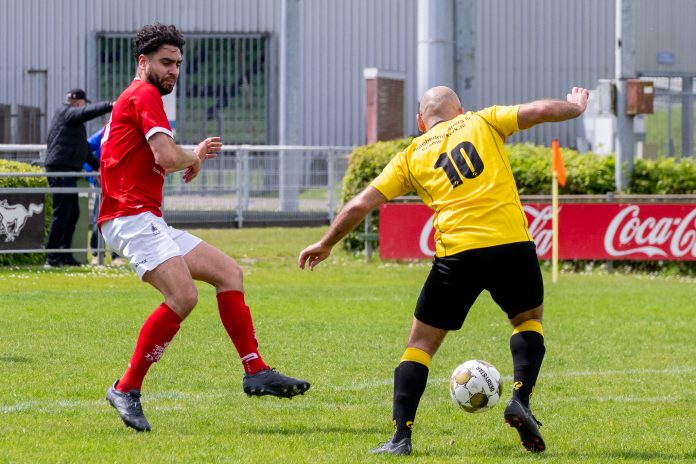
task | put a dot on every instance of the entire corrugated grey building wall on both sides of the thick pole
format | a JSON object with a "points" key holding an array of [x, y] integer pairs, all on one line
{"points": [[524, 50]]}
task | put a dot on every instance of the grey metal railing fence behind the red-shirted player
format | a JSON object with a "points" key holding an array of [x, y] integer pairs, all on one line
{"points": [[245, 185]]}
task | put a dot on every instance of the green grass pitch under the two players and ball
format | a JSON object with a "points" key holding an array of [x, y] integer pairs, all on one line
{"points": [[617, 383]]}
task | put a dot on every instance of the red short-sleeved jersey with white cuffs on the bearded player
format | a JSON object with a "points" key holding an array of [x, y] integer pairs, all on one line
{"points": [[131, 179]]}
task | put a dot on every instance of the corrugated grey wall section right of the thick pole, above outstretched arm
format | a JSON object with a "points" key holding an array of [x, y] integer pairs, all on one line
{"points": [[534, 49]]}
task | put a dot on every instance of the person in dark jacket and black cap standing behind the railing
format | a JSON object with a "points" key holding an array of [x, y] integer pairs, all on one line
{"points": [[67, 151]]}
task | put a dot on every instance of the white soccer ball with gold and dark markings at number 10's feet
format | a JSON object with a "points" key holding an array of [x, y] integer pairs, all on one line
{"points": [[475, 386]]}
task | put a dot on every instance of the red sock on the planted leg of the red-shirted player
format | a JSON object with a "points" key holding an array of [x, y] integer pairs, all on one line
{"points": [[157, 331]]}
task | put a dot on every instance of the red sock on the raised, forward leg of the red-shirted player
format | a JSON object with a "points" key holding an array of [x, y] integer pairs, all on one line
{"points": [[236, 318]]}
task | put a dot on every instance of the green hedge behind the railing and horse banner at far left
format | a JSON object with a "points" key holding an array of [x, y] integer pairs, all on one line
{"points": [[5, 182]]}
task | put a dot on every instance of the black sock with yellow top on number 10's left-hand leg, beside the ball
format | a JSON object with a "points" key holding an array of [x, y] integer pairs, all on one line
{"points": [[410, 379]]}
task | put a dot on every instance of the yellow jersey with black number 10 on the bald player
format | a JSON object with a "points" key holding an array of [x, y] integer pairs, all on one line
{"points": [[460, 170]]}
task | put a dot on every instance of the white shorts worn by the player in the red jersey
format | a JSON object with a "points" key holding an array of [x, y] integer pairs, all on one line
{"points": [[146, 240]]}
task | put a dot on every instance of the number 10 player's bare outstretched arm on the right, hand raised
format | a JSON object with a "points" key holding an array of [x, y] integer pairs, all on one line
{"points": [[537, 112]]}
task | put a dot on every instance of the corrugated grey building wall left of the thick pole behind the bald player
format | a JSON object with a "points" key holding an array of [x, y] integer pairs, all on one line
{"points": [[339, 39]]}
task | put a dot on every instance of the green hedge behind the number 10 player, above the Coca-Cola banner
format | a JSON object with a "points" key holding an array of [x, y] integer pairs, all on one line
{"points": [[587, 173]]}
